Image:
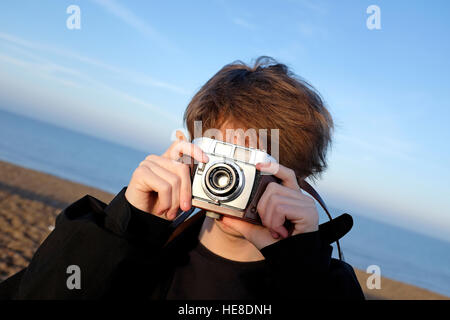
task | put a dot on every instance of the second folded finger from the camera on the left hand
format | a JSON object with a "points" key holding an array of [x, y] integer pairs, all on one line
{"points": [[153, 182]]}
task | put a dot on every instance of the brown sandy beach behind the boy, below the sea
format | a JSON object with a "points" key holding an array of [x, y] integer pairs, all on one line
{"points": [[31, 200]]}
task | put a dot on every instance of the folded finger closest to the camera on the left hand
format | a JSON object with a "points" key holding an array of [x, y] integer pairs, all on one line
{"points": [[182, 170]]}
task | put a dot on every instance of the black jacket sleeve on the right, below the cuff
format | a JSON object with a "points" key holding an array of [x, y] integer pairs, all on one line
{"points": [[301, 266]]}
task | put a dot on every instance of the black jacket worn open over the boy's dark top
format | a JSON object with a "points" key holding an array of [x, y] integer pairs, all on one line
{"points": [[121, 253]]}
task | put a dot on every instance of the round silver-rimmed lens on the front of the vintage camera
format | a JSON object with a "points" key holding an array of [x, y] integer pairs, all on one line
{"points": [[222, 181]]}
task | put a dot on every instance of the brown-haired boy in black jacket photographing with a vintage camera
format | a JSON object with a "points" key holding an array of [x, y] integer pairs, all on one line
{"points": [[120, 248]]}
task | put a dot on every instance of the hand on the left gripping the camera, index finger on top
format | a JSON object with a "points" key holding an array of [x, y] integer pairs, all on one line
{"points": [[161, 185]]}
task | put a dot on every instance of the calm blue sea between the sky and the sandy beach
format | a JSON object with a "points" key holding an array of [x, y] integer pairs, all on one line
{"points": [[399, 253]]}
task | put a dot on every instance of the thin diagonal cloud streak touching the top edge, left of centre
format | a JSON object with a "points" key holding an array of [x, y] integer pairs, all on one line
{"points": [[140, 25]]}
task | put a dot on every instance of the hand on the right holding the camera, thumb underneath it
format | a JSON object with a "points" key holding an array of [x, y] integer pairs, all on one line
{"points": [[278, 203]]}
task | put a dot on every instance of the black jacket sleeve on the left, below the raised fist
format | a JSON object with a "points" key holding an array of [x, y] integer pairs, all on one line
{"points": [[97, 239]]}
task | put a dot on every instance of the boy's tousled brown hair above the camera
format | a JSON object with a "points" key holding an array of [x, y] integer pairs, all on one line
{"points": [[268, 95]]}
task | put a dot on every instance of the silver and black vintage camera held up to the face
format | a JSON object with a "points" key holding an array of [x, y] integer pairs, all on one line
{"points": [[229, 183]]}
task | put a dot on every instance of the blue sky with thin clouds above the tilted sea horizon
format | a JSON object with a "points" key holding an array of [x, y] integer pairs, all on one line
{"points": [[129, 72]]}
